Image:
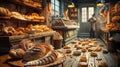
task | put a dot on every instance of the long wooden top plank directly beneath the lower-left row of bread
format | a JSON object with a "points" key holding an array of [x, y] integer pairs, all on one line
{"points": [[28, 36]]}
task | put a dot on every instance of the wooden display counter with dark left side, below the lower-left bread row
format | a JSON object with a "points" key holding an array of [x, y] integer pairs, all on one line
{"points": [[9, 41]]}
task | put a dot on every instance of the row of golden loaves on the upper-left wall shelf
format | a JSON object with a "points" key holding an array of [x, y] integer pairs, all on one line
{"points": [[4, 12]]}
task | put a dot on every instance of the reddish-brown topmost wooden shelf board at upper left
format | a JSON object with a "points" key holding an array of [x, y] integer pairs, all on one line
{"points": [[26, 4]]}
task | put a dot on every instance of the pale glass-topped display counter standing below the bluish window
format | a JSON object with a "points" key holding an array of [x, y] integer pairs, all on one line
{"points": [[66, 28]]}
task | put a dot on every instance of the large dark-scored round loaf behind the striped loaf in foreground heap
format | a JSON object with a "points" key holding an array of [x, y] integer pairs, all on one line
{"points": [[38, 51]]}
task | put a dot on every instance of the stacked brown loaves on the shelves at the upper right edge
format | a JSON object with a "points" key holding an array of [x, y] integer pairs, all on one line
{"points": [[114, 18]]}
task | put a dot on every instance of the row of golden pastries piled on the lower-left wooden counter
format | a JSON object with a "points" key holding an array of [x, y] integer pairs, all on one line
{"points": [[30, 29]]}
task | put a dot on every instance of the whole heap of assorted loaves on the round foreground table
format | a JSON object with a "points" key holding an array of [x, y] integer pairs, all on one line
{"points": [[34, 55]]}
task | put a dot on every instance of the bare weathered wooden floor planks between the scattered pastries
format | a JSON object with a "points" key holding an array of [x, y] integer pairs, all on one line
{"points": [[72, 61]]}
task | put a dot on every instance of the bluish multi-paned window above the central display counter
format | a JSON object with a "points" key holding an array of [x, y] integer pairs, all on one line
{"points": [[55, 7]]}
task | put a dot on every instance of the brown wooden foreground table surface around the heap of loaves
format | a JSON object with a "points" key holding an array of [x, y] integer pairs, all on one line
{"points": [[7, 61]]}
